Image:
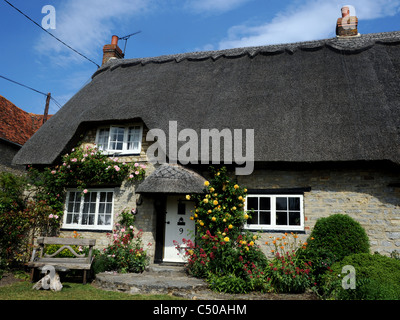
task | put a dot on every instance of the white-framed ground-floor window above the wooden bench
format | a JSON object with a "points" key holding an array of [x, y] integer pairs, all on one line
{"points": [[91, 210]]}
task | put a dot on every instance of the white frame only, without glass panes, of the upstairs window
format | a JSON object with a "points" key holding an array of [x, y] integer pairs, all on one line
{"points": [[125, 142]]}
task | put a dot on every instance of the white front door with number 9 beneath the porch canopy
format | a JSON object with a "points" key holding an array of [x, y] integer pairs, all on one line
{"points": [[177, 226]]}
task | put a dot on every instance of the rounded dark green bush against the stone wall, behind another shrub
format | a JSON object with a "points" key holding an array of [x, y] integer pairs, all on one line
{"points": [[340, 235]]}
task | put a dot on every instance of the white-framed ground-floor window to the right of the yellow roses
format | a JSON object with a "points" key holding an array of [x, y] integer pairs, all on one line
{"points": [[275, 212]]}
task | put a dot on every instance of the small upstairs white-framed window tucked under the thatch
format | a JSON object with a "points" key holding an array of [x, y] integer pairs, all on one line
{"points": [[120, 139]]}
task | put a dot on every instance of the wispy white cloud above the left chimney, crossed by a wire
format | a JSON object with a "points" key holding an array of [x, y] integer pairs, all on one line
{"points": [[86, 26]]}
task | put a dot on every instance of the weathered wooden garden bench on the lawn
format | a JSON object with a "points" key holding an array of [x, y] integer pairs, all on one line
{"points": [[79, 262]]}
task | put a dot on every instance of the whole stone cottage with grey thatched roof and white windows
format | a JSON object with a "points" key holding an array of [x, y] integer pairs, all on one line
{"points": [[323, 117]]}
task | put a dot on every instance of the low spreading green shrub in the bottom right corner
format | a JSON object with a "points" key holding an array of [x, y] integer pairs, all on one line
{"points": [[377, 278]]}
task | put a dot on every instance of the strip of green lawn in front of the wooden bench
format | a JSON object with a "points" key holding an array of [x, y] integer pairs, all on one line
{"points": [[71, 291]]}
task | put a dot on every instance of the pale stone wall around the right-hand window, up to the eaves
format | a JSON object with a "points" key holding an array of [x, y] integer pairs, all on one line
{"points": [[364, 194]]}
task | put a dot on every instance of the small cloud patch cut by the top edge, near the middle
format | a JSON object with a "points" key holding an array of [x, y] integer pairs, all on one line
{"points": [[213, 6]]}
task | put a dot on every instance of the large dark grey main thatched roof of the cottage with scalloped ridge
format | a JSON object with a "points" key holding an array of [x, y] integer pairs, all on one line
{"points": [[326, 100]]}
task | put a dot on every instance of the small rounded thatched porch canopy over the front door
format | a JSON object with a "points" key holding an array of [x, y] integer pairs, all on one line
{"points": [[172, 178]]}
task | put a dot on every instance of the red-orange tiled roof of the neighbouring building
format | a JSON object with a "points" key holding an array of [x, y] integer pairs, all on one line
{"points": [[17, 125]]}
